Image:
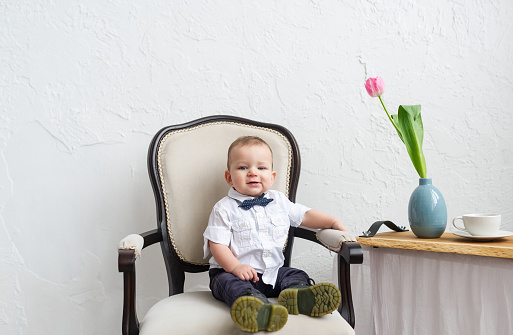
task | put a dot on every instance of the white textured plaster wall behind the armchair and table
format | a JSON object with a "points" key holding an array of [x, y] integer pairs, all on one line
{"points": [[84, 86]]}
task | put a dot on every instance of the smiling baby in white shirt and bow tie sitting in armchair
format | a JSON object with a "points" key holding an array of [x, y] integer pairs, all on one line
{"points": [[246, 233]]}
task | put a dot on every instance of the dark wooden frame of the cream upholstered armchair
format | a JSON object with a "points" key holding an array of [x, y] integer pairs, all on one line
{"points": [[350, 252]]}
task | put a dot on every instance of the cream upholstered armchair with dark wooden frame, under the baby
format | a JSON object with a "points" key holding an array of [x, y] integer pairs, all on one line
{"points": [[186, 164]]}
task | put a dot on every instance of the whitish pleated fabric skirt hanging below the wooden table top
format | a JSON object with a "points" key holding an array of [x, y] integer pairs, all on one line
{"points": [[421, 292]]}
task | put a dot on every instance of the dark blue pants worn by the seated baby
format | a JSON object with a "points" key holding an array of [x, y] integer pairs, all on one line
{"points": [[227, 287]]}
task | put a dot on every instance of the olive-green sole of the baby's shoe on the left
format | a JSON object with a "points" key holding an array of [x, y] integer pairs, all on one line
{"points": [[250, 314]]}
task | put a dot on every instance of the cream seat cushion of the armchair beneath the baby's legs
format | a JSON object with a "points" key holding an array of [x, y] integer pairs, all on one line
{"points": [[200, 313]]}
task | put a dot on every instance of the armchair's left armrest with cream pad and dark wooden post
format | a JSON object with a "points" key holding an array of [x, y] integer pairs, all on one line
{"points": [[128, 250]]}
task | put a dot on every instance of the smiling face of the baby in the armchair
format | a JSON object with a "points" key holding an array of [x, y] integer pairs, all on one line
{"points": [[251, 169]]}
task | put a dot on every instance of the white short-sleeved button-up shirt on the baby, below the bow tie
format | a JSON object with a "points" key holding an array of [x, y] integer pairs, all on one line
{"points": [[255, 236]]}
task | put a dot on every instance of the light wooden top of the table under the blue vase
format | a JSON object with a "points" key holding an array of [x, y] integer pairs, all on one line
{"points": [[448, 242]]}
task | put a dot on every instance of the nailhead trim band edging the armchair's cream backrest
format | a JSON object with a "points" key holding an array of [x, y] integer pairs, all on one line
{"points": [[161, 173]]}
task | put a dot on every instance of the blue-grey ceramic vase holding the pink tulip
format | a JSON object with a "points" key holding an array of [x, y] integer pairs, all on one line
{"points": [[427, 212]]}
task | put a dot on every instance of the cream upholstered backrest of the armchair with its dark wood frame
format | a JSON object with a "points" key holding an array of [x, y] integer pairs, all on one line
{"points": [[187, 168]]}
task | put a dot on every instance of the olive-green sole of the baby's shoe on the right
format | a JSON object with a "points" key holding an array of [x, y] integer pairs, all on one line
{"points": [[316, 300]]}
